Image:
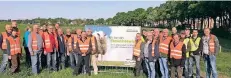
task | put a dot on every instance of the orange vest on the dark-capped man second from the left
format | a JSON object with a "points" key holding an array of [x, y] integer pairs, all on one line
{"points": [[15, 47]]}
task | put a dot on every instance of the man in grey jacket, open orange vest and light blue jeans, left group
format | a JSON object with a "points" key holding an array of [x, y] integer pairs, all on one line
{"points": [[35, 46]]}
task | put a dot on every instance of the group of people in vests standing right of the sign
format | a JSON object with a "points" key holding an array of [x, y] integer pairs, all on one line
{"points": [[175, 55]]}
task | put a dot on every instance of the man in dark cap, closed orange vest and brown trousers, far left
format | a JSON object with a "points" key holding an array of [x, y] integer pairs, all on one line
{"points": [[14, 50]]}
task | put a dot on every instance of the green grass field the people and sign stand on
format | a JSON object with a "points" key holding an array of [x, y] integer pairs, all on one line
{"points": [[223, 65]]}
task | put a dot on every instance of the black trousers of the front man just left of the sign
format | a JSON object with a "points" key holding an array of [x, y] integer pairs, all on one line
{"points": [[86, 61]]}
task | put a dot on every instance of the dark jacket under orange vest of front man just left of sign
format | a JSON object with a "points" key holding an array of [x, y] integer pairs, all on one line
{"points": [[77, 50]]}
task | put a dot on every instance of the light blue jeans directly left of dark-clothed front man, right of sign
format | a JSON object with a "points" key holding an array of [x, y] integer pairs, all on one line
{"points": [[163, 67]]}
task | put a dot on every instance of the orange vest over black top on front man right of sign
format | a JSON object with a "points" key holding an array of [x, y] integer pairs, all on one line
{"points": [[176, 52]]}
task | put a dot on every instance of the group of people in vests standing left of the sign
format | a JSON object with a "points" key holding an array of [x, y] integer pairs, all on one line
{"points": [[48, 47]]}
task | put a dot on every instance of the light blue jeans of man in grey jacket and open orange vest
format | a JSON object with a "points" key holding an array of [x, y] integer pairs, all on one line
{"points": [[35, 62]]}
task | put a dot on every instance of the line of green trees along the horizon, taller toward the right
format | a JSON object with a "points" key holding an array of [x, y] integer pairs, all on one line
{"points": [[168, 14]]}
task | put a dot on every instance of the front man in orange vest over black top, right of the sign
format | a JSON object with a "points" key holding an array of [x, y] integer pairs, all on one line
{"points": [[177, 56]]}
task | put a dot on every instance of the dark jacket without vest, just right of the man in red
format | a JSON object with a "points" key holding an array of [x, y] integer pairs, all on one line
{"points": [[61, 44]]}
